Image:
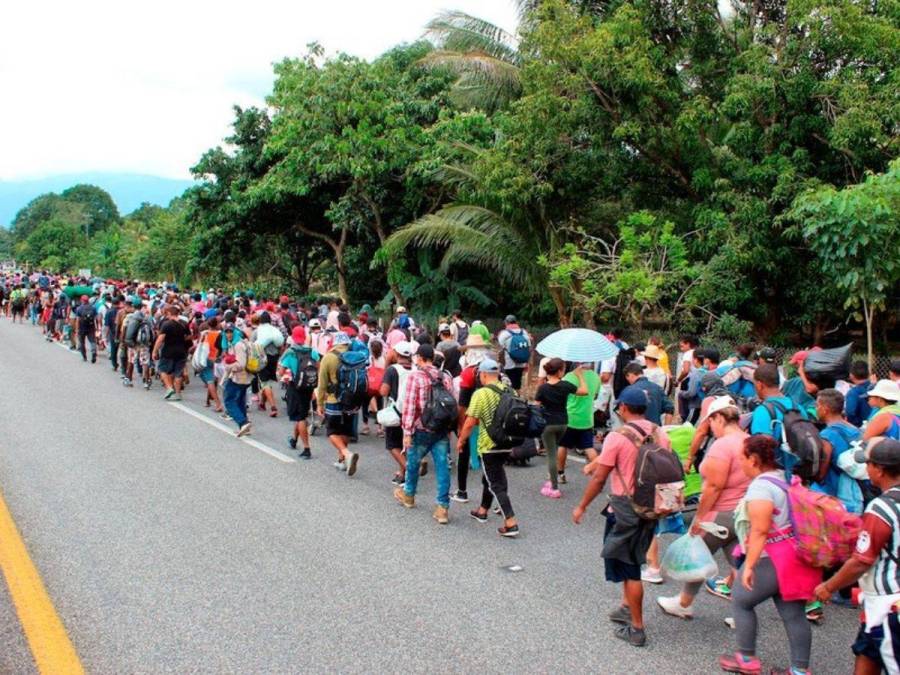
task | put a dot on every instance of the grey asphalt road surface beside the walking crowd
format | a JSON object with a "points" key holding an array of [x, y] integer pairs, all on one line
{"points": [[169, 546]]}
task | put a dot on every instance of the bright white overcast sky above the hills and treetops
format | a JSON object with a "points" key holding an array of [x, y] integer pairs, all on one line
{"points": [[146, 87]]}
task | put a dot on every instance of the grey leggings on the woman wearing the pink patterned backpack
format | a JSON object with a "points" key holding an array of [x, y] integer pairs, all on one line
{"points": [[793, 614]]}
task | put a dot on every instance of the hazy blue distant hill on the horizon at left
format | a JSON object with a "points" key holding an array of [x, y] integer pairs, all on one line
{"points": [[127, 190]]}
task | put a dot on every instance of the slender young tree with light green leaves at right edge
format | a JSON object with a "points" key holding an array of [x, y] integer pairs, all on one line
{"points": [[853, 232]]}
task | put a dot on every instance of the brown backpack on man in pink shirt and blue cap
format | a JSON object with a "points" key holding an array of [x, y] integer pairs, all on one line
{"points": [[658, 476]]}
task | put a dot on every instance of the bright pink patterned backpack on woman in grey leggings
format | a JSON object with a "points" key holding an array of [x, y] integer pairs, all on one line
{"points": [[825, 531]]}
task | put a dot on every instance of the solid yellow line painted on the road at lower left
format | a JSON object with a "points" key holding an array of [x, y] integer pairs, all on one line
{"points": [[50, 645]]}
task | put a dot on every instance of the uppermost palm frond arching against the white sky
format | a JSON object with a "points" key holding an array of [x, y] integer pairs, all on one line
{"points": [[460, 32]]}
